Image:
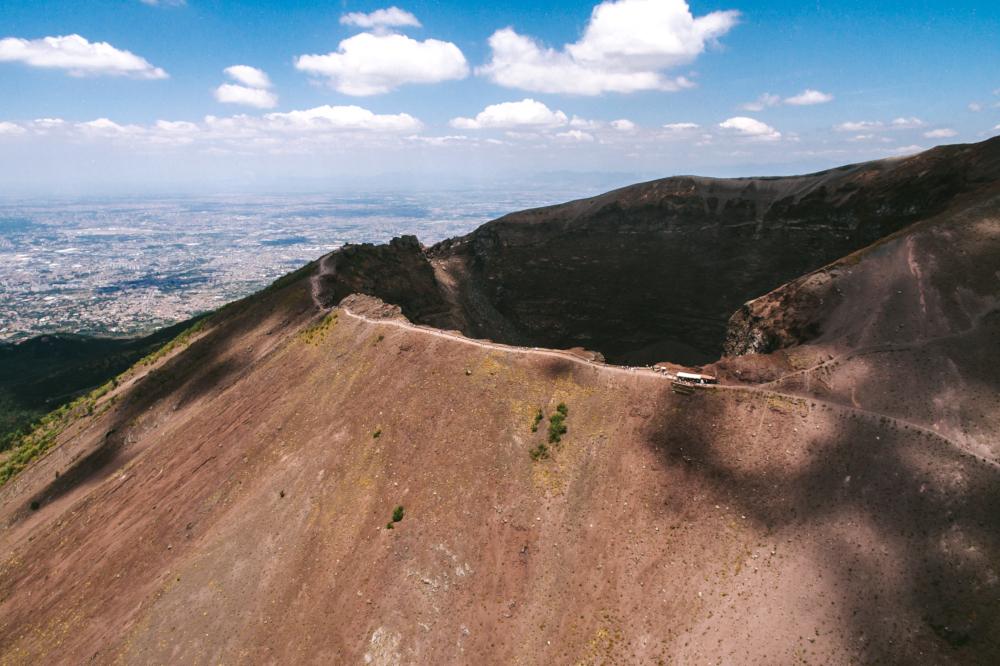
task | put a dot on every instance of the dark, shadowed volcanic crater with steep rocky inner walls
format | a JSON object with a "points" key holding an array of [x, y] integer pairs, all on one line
{"points": [[653, 271]]}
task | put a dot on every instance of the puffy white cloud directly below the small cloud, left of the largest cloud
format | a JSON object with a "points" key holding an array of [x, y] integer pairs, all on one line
{"points": [[372, 64]]}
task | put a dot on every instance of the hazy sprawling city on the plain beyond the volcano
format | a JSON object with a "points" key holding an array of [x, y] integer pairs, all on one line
{"points": [[122, 267]]}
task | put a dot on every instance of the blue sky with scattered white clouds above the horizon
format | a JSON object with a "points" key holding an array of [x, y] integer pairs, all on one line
{"points": [[174, 96]]}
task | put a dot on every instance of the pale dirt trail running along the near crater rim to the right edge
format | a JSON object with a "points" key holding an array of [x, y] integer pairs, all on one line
{"points": [[649, 373]]}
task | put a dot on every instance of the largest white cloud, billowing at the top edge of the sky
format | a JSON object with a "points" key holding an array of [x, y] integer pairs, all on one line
{"points": [[625, 48]]}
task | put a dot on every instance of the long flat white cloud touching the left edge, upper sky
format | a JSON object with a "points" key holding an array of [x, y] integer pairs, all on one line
{"points": [[78, 57]]}
